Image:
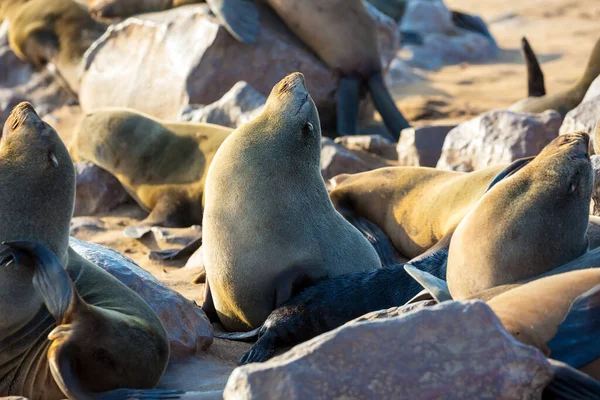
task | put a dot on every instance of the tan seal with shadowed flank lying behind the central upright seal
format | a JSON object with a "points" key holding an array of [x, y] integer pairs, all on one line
{"points": [[163, 165]]}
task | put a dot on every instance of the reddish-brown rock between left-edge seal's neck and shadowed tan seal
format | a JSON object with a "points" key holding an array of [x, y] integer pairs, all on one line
{"points": [[97, 190]]}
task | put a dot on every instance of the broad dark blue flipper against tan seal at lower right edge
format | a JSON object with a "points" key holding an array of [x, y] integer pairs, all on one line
{"points": [[576, 340]]}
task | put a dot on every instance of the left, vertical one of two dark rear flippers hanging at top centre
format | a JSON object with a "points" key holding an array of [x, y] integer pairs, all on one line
{"points": [[348, 100]]}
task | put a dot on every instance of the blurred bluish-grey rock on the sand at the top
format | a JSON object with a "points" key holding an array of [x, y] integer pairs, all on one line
{"points": [[443, 42]]}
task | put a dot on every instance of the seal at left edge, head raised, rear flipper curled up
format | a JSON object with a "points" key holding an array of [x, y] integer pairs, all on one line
{"points": [[63, 321]]}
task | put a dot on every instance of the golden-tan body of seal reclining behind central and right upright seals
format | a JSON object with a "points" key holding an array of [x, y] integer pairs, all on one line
{"points": [[415, 206]]}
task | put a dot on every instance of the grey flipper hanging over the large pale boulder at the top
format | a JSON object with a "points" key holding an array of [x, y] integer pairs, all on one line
{"points": [[239, 17]]}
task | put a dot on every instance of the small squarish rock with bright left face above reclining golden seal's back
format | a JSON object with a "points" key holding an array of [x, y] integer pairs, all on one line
{"points": [[422, 146]]}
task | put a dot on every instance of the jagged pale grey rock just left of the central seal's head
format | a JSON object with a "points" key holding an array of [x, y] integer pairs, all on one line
{"points": [[238, 106]]}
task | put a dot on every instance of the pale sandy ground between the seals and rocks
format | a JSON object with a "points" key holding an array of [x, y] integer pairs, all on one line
{"points": [[562, 32]]}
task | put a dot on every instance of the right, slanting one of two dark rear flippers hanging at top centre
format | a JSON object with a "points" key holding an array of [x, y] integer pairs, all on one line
{"points": [[392, 117]]}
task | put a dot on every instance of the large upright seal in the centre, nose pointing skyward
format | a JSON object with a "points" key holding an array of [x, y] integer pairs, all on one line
{"points": [[269, 227]]}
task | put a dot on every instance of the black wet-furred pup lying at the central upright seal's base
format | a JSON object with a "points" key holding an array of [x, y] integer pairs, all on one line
{"points": [[335, 301]]}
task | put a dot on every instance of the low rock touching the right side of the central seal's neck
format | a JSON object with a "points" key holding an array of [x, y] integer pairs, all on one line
{"points": [[336, 160]]}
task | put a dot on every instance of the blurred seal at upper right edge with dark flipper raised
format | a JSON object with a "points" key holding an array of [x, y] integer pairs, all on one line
{"points": [[563, 101]]}
